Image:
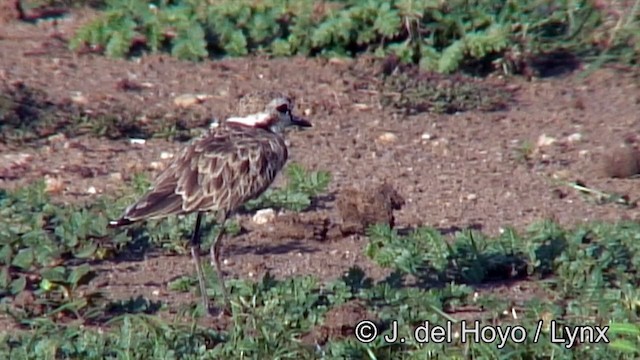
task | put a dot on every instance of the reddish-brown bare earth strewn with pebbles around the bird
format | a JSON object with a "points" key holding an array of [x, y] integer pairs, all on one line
{"points": [[451, 171]]}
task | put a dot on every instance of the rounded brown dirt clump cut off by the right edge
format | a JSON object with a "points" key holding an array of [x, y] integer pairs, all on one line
{"points": [[622, 161]]}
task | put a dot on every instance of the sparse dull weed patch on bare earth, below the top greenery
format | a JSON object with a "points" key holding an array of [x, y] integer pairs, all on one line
{"points": [[408, 88]]}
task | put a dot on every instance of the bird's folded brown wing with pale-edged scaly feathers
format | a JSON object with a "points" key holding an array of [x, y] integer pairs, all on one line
{"points": [[219, 171]]}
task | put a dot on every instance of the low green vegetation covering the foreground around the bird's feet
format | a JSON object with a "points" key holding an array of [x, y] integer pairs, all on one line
{"points": [[585, 276]]}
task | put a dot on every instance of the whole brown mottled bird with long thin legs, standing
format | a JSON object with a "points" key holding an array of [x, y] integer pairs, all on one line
{"points": [[216, 174]]}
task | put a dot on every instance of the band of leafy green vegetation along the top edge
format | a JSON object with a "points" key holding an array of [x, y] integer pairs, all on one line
{"points": [[440, 36]]}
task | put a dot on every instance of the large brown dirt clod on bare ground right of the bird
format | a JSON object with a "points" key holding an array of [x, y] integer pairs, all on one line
{"points": [[361, 208]]}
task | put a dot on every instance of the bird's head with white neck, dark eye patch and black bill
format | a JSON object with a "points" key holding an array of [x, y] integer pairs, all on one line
{"points": [[276, 117]]}
